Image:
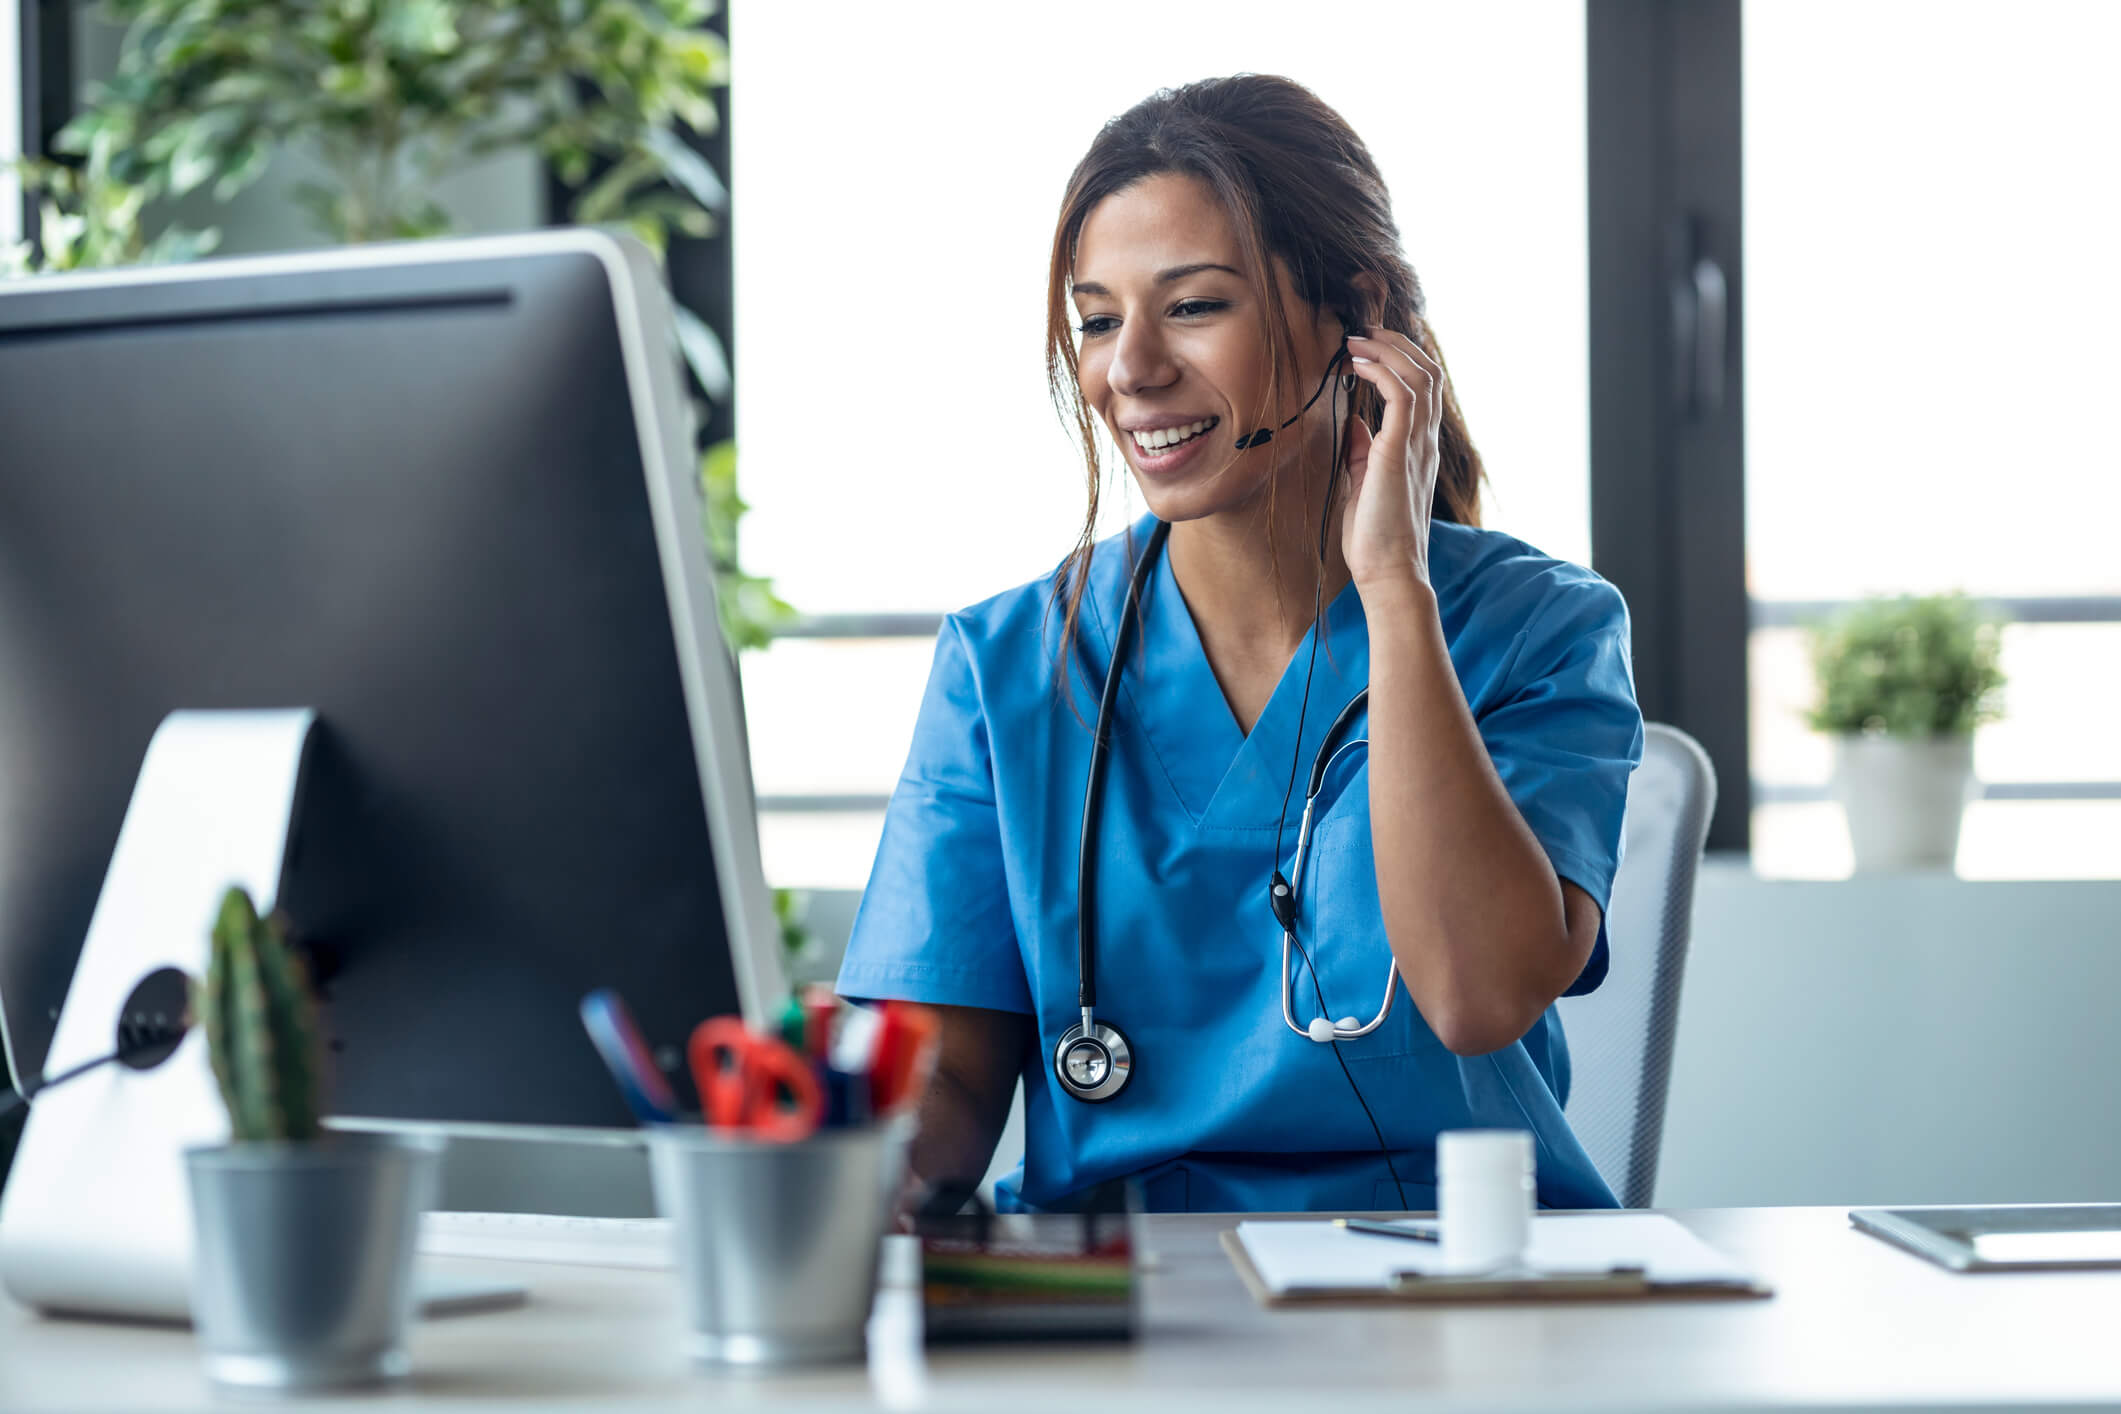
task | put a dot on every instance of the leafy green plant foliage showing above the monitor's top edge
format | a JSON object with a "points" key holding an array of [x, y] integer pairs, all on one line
{"points": [[398, 94]]}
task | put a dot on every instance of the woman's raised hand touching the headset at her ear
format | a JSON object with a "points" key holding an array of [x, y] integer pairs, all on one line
{"points": [[1392, 476]]}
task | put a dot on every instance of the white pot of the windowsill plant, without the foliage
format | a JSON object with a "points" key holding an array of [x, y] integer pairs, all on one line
{"points": [[1904, 800]]}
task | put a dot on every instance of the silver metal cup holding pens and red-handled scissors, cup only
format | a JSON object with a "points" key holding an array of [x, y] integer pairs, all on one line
{"points": [[777, 1243]]}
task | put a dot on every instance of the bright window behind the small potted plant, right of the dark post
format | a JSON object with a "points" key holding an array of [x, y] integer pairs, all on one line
{"points": [[1931, 289]]}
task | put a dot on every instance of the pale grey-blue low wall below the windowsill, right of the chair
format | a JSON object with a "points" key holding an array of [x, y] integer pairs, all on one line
{"points": [[1891, 1040]]}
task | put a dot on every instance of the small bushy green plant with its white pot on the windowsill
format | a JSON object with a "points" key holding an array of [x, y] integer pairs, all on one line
{"points": [[1904, 684]]}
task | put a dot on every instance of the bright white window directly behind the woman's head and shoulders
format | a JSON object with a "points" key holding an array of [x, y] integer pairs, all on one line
{"points": [[896, 438]]}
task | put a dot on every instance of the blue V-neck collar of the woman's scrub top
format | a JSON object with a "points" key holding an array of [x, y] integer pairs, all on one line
{"points": [[1229, 779]]}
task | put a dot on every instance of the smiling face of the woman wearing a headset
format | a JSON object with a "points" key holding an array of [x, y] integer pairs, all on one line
{"points": [[1170, 340]]}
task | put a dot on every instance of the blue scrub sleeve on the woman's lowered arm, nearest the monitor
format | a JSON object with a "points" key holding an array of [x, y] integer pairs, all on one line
{"points": [[934, 921]]}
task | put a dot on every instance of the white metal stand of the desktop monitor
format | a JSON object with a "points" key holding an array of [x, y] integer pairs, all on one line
{"points": [[97, 1214]]}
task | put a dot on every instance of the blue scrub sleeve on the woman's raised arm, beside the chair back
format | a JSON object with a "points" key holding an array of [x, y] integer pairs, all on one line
{"points": [[1566, 735]]}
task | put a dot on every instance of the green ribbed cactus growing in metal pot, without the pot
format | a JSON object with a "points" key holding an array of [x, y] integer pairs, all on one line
{"points": [[262, 1029]]}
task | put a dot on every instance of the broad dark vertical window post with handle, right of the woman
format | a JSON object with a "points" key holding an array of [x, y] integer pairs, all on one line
{"points": [[1668, 381]]}
